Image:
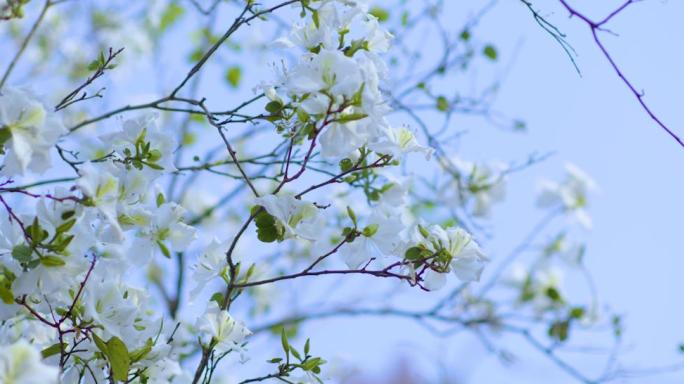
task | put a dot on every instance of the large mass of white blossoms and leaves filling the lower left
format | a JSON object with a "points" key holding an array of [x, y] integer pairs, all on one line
{"points": [[64, 266]]}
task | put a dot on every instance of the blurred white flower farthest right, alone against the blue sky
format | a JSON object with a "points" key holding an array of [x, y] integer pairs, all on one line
{"points": [[571, 194]]}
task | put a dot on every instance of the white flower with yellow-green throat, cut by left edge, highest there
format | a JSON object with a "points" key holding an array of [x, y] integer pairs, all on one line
{"points": [[27, 132]]}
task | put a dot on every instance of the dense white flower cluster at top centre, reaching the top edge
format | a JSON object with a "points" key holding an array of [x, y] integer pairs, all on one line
{"points": [[337, 80]]}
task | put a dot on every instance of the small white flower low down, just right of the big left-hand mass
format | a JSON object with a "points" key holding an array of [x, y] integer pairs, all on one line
{"points": [[217, 325]]}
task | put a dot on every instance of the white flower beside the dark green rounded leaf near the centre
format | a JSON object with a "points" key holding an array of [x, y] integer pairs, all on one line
{"points": [[298, 218]]}
